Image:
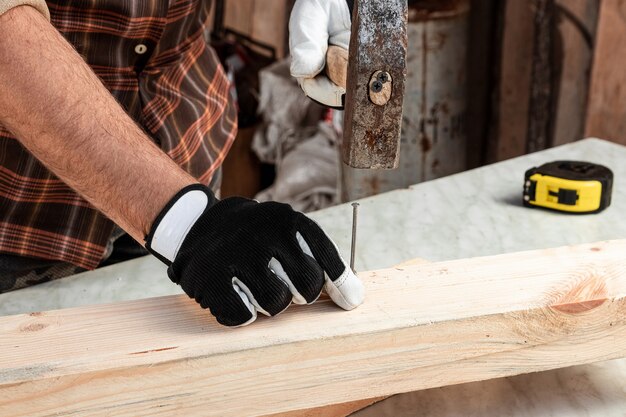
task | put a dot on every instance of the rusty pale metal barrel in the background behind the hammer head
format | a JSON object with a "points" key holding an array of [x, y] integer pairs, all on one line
{"points": [[433, 130]]}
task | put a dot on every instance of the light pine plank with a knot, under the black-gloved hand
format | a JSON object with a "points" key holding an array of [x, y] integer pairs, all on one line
{"points": [[420, 327]]}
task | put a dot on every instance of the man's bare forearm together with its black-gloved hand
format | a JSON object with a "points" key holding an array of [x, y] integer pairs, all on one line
{"points": [[236, 257]]}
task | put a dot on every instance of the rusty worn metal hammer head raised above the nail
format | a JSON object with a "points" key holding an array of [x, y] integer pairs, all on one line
{"points": [[375, 84]]}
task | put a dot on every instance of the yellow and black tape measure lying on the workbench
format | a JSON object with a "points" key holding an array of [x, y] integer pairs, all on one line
{"points": [[569, 186]]}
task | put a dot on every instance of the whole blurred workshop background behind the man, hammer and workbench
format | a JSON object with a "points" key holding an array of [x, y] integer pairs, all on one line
{"points": [[487, 81]]}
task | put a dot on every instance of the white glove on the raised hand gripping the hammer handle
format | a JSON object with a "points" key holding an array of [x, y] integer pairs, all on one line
{"points": [[315, 24]]}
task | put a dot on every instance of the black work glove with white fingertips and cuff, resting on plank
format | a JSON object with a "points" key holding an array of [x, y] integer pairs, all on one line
{"points": [[238, 257]]}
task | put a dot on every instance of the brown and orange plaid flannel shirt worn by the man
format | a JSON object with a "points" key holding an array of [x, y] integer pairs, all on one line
{"points": [[153, 58]]}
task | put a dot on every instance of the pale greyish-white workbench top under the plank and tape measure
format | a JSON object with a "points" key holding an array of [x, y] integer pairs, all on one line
{"points": [[474, 213]]}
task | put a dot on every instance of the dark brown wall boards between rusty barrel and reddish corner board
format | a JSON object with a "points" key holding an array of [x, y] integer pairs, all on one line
{"points": [[570, 58]]}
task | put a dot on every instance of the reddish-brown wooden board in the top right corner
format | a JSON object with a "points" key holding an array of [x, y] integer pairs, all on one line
{"points": [[606, 113]]}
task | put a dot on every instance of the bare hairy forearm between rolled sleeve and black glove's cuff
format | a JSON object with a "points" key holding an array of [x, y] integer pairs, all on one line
{"points": [[60, 111]]}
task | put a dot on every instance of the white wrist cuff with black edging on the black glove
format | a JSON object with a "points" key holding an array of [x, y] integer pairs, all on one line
{"points": [[170, 228]]}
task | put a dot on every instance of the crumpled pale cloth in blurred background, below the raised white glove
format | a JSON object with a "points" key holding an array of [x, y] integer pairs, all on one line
{"points": [[292, 137]]}
